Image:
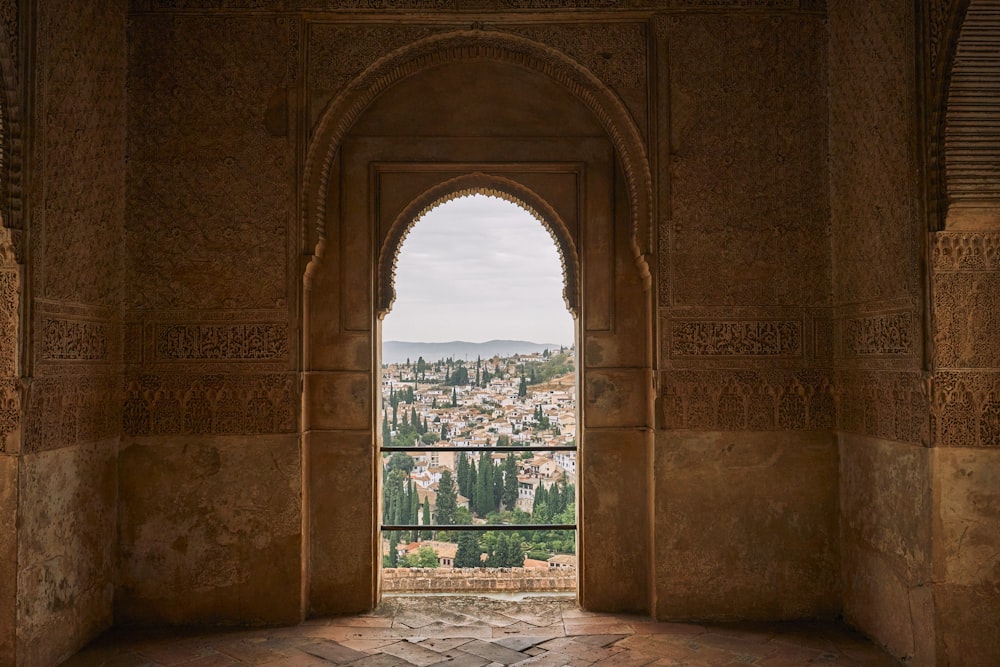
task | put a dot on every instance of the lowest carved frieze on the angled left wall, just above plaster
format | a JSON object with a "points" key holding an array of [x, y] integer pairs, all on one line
{"points": [[63, 412]]}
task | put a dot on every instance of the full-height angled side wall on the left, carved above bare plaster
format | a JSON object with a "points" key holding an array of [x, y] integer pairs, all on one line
{"points": [[75, 207]]}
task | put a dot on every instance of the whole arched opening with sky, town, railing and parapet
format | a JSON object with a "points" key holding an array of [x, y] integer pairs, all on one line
{"points": [[478, 442]]}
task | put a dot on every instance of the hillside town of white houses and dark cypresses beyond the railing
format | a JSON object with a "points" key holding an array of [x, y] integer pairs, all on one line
{"points": [[457, 407]]}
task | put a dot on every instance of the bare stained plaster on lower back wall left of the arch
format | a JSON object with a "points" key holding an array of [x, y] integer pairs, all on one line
{"points": [[210, 531]]}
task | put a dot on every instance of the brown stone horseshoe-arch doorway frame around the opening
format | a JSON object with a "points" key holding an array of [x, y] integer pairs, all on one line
{"points": [[360, 195]]}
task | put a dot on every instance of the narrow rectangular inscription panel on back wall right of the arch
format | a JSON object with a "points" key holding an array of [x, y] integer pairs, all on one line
{"points": [[735, 338]]}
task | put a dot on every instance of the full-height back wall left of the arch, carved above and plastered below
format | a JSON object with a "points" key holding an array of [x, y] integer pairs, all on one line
{"points": [[210, 465]]}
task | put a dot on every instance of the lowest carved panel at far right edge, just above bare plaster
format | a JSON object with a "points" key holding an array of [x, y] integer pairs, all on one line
{"points": [[966, 409]]}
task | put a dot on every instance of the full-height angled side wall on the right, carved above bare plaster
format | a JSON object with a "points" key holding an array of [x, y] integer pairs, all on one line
{"points": [[877, 254]]}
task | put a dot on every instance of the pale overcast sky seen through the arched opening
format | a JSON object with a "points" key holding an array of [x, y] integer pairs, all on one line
{"points": [[476, 269]]}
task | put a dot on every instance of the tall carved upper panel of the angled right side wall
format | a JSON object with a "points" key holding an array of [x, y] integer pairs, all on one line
{"points": [[876, 226]]}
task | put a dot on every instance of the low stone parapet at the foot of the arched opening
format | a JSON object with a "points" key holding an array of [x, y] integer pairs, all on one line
{"points": [[478, 580]]}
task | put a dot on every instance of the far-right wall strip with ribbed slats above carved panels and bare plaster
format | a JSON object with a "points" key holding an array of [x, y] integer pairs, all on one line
{"points": [[965, 302]]}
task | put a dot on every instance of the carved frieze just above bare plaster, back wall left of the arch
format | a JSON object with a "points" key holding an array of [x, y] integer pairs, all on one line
{"points": [[210, 404]]}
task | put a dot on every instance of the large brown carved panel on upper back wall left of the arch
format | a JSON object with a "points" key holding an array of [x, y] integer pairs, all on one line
{"points": [[212, 192]]}
